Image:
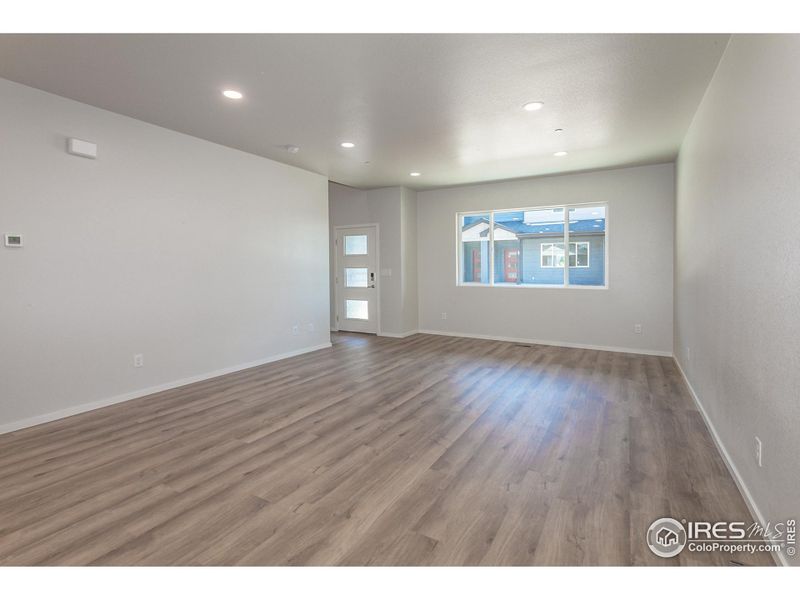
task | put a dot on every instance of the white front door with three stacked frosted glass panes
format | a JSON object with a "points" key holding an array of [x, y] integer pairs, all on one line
{"points": [[357, 279]]}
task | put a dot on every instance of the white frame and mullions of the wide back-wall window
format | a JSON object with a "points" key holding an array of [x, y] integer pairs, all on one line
{"points": [[566, 208]]}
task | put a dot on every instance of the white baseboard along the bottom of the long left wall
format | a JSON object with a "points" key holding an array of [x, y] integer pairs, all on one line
{"points": [[74, 410]]}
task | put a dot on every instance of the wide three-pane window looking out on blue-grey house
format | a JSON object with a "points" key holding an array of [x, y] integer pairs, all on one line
{"points": [[526, 247]]}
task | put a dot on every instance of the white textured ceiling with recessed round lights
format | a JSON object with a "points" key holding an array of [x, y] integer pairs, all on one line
{"points": [[447, 105]]}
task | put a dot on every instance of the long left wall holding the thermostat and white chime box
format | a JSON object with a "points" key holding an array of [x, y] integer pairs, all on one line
{"points": [[198, 256]]}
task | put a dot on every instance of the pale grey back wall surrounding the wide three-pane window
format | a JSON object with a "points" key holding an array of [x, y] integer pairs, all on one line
{"points": [[640, 233]]}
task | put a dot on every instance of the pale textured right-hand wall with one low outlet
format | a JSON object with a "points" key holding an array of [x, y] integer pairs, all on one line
{"points": [[737, 279]]}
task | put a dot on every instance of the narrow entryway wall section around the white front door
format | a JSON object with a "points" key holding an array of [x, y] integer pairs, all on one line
{"points": [[393, 209]]}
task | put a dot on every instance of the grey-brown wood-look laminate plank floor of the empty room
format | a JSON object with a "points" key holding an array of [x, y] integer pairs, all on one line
{"points": [[428, 450]]}
